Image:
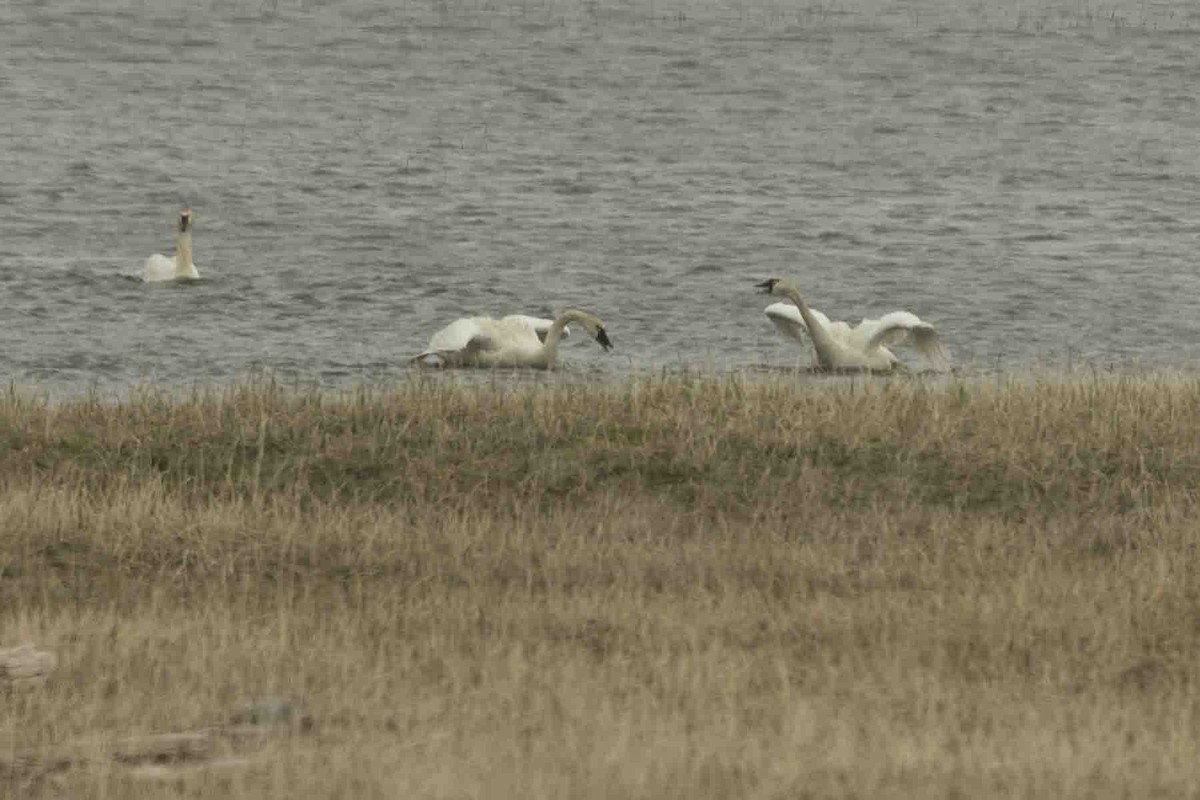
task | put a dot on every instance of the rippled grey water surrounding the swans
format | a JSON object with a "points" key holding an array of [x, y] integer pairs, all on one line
{"points": [[1025, 176]]}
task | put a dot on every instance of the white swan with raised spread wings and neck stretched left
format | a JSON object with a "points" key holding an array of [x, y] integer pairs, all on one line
{"points": [[841, 347]]}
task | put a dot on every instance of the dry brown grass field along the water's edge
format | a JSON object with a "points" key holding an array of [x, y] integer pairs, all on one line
{"points": [[667, 588]]}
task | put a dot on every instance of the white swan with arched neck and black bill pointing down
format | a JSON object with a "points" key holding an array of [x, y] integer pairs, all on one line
{"points": [[513, 341]]}
